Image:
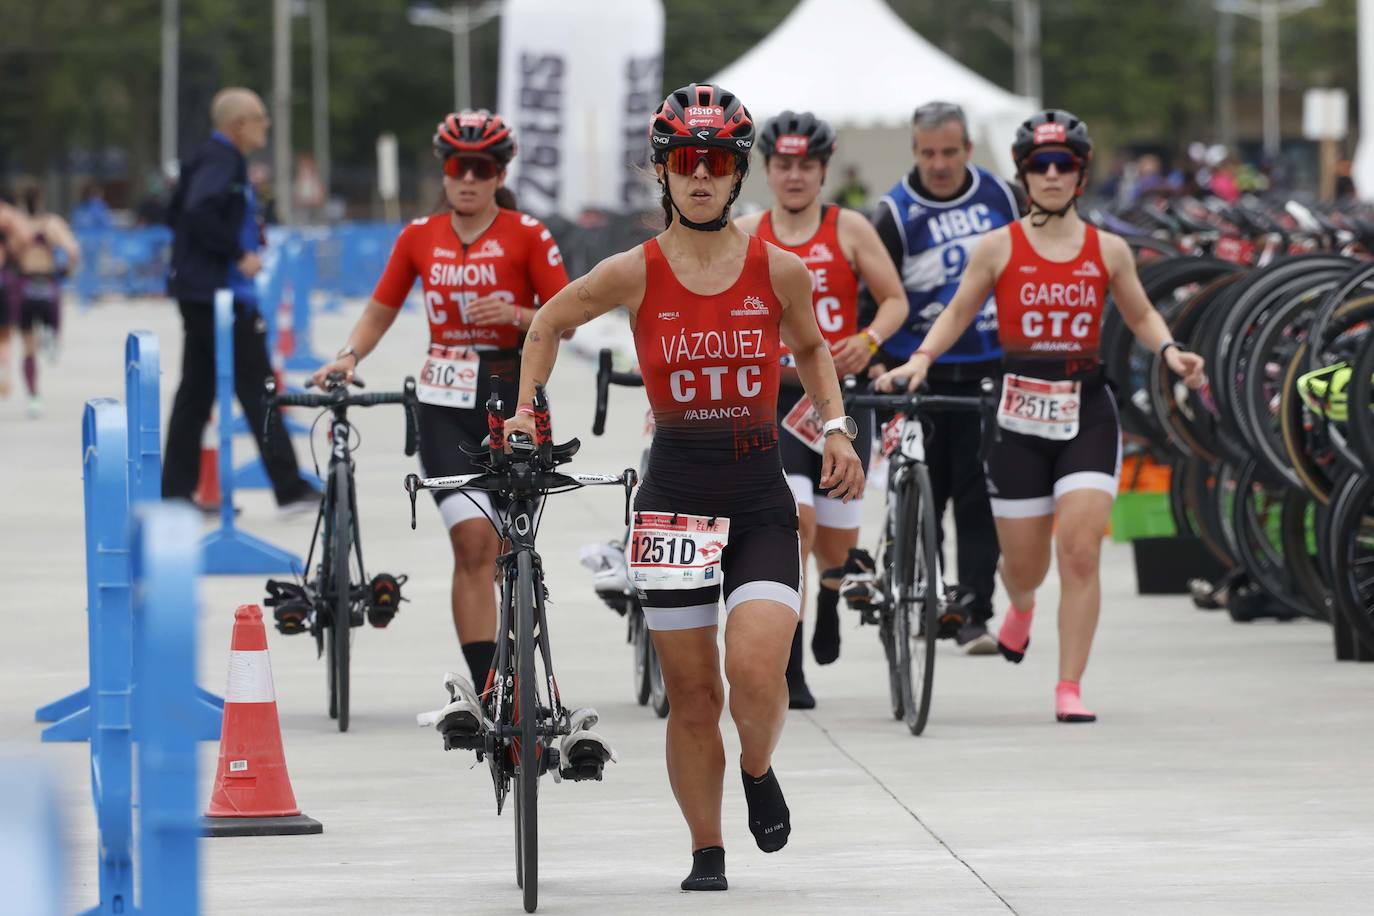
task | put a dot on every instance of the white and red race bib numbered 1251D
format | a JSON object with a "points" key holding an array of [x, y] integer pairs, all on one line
{"points": [[677, 551]]}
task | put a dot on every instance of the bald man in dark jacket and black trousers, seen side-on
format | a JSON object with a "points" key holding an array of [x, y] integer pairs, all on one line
{"points": [[216, 242]]}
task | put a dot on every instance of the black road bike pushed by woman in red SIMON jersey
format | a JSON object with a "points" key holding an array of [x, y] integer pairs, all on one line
{"points": [[337, 594]]}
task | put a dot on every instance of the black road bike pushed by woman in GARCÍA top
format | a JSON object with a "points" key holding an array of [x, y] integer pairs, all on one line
{"points": [[909, 602]]}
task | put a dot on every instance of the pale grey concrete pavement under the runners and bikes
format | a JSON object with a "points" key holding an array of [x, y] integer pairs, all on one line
{"points": [[1226, 774]]}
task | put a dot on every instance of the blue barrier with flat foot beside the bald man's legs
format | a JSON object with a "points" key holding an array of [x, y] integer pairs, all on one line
{"points": [[227, 550]]}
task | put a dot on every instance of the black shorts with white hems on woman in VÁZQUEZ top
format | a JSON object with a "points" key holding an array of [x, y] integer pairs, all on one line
{"points": [[763, 556]]}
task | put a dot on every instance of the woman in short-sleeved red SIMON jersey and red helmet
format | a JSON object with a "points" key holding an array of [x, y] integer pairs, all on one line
{"points": [[484, 271]]}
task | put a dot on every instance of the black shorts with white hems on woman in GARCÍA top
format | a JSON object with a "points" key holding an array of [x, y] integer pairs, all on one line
{"points": [[1027, 474]]}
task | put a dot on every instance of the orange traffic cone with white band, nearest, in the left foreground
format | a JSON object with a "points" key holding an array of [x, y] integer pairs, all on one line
{"points": [[252, 794]]}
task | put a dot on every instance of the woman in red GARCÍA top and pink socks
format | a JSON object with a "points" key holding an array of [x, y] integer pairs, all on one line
{"points": [[1057, 465]]}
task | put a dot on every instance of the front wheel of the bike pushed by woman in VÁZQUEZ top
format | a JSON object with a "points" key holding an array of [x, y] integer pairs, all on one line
{"points": [[528, 755]]}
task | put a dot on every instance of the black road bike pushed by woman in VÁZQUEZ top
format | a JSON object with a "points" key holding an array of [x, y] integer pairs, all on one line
{"points": [[523, 707]]}
